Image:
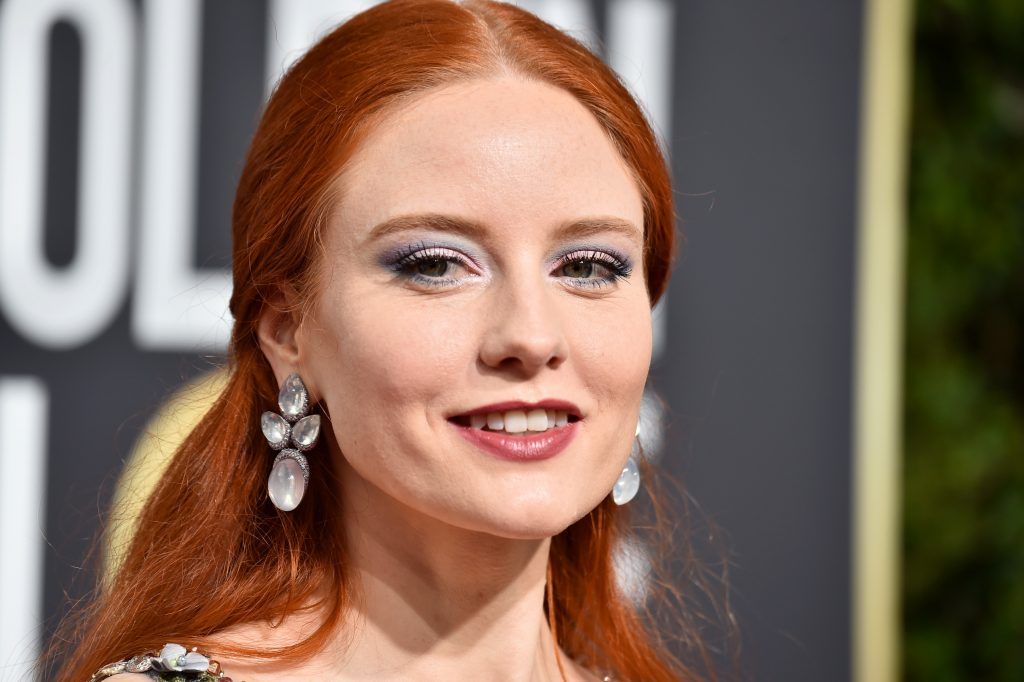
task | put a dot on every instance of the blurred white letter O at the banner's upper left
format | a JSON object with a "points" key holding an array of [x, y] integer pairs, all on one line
{"points": [[65, 308]]}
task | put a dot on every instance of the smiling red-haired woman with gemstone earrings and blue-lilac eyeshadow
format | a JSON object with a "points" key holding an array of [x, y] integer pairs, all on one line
{"points": [[449, 235]]}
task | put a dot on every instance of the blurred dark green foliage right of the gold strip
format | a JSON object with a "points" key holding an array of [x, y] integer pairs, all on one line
{"points": [[964, 505]]}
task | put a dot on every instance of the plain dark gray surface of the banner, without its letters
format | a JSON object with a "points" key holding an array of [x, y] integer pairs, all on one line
{"points": [[757, 367]]}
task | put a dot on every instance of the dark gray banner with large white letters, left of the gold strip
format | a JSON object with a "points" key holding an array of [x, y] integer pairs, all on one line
{"points": [[123, 127]]}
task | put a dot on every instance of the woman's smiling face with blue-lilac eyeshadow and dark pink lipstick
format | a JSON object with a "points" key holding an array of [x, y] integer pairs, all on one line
{"points": [[486, 248]]}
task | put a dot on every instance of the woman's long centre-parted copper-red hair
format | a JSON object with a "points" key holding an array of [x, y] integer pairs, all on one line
{"points": [[209, 550]]}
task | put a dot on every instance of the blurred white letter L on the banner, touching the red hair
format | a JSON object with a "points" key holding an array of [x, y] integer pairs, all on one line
{"points": [[176, 306]]}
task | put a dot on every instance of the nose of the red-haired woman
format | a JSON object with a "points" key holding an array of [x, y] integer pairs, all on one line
{"points": [[526, 330]]}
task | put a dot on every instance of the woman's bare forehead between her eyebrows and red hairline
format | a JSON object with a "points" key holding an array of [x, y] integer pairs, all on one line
{"points": [[502, 152]]}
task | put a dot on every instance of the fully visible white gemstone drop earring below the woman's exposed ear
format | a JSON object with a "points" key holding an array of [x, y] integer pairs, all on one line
{"points": [[290, 475]]}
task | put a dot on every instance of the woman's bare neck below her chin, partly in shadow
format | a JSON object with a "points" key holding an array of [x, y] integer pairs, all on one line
{"points": [[435, 602]]}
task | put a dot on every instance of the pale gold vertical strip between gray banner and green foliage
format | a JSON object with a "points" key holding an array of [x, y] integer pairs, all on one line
{"points": [[879, 325]]}
